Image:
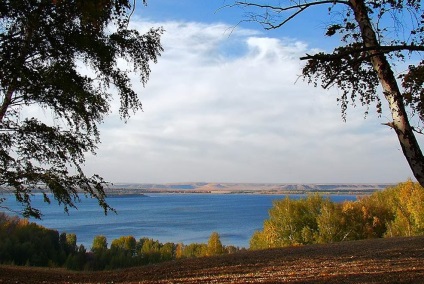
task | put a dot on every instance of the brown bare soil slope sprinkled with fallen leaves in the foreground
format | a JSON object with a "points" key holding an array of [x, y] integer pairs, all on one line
{"points": [[394, 260]]}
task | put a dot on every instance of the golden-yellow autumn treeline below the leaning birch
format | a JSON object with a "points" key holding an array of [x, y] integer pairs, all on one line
{"points": [[395, 211]]}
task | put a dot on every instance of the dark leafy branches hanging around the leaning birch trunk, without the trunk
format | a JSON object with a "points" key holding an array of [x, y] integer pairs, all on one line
{"points": [[398, 26]]}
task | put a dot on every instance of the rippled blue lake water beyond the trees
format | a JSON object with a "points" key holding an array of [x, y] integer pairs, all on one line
{"points": [[186, 218]]}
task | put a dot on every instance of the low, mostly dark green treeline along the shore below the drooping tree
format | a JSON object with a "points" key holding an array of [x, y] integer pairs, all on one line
{"points": [[25, 243]]}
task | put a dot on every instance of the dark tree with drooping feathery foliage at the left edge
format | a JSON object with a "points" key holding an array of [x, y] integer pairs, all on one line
{"points": [[43, 44]]}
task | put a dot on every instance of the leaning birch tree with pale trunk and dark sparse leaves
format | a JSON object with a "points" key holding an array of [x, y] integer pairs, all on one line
{"points": [[375, 34]]}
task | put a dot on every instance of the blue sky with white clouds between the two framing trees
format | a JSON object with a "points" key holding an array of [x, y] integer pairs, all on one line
{"points": [[225, 103]]}
